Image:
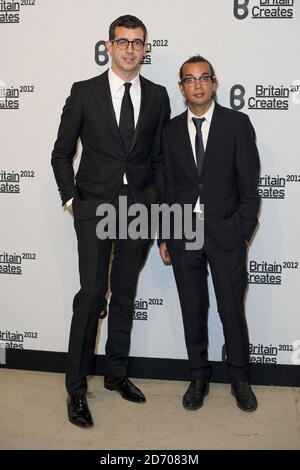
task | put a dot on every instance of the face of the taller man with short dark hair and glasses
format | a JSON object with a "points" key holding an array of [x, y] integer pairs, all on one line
{"points": [[126, 61]]}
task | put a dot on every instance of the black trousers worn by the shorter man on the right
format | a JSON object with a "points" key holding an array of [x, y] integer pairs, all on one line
{"points": [[229, 275]]}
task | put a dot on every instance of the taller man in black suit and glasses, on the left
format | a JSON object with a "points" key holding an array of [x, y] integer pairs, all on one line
{"points": [[118, 117]]}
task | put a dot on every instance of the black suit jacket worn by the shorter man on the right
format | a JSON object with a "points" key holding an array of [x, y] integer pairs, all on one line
{"points": [[228, 182]]}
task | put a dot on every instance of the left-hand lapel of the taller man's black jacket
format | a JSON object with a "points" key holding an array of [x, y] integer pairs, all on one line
{"points": [[102, 94]]}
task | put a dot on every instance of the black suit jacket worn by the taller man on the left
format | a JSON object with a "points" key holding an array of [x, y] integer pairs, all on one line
{"points": [[89, 115]]}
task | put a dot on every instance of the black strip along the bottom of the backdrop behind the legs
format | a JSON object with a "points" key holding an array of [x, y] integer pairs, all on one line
{"points": [[153, 368]]}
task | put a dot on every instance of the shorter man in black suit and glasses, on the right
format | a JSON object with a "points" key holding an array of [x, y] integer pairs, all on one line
{"points": [[211, 158]]}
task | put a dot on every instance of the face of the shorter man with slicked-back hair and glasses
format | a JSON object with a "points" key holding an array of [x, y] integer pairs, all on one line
{"points": [[198, 94]]}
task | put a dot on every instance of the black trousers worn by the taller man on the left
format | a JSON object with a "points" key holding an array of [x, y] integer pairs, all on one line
{"points": [[94, 265]]}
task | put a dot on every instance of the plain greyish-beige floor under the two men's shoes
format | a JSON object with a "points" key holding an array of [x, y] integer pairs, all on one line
{"points": [[33, 416]]}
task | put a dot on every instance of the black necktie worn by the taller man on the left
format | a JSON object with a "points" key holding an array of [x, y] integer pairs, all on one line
{"points": [[126, 124]]}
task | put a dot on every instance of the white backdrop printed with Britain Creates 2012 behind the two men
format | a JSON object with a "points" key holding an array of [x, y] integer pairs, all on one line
{"points": [[46, 45]]}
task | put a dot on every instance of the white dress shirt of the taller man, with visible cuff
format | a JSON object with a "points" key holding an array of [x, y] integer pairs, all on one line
{"points": [[117, 90]]}
